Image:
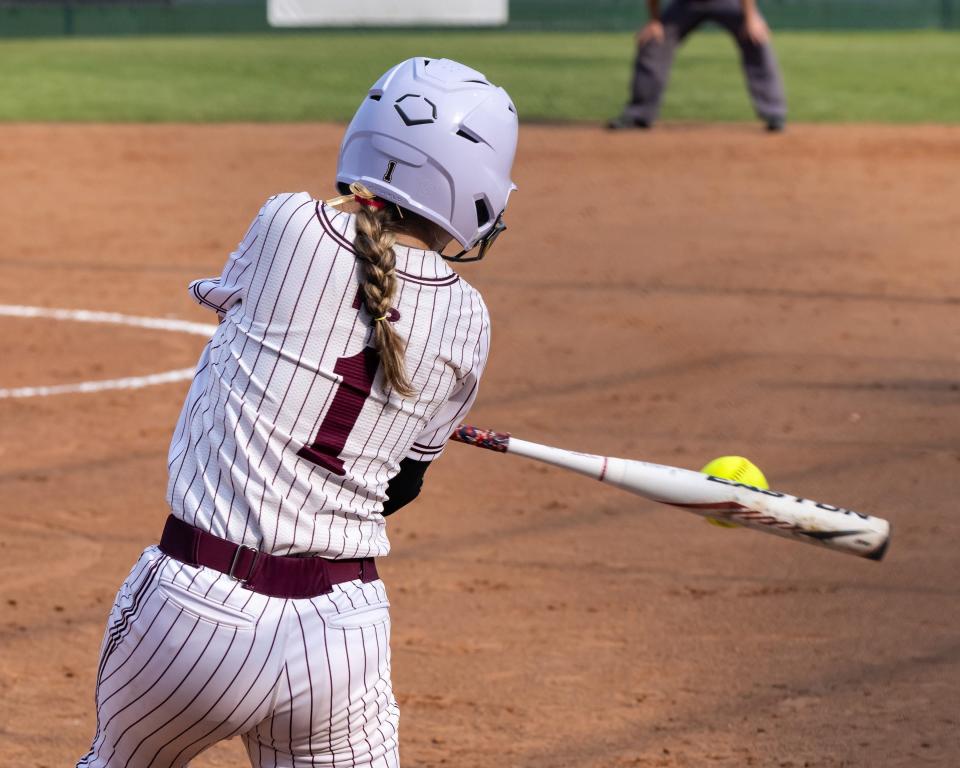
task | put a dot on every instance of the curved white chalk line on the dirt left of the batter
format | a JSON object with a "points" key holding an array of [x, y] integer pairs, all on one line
{"points": [[86, 316]]}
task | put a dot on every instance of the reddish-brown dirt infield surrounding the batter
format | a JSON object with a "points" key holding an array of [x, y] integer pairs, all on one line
{"points": [[671, 296]]}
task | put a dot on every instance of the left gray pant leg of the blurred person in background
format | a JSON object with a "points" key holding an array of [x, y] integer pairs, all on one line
{"points": [[651, 69]]}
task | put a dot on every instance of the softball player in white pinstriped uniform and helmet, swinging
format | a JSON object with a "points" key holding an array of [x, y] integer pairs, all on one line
{"points": [[347, 352]]}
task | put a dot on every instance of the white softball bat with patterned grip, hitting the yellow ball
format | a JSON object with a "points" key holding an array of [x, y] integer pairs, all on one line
{"points": [[761, 509]]}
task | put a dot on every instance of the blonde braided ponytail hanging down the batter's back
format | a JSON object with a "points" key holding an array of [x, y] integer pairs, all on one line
{"points": [[374, 246]]}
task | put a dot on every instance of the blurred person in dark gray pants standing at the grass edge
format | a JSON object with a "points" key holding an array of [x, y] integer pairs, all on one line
{"points": [[658, 40]]}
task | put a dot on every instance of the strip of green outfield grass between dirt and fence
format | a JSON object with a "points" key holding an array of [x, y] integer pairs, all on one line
{"points": [[830, 77]]}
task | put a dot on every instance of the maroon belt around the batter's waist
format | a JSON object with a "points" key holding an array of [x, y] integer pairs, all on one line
{"points": [[273, 575]]}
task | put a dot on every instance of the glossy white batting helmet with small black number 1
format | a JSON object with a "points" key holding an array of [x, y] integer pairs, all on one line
{"points": [[437, 138]]}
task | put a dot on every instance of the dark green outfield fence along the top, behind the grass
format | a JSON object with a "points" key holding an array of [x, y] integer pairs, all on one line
{"points": [[23, 18]]}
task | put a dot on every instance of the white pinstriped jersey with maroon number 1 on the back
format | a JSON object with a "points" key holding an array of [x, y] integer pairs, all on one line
{"points": [[289, 434]]}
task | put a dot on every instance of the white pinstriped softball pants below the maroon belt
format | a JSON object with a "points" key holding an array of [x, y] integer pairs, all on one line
{"points": [[190, 658]]}
